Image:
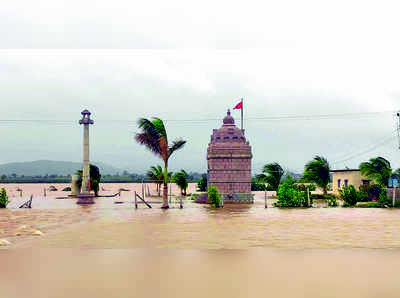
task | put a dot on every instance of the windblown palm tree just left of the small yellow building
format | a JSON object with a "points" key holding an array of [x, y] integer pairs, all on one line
{"points": [[318, 171]]}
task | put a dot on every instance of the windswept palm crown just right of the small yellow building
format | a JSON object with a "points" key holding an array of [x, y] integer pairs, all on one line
{"points": [[377, 169]]}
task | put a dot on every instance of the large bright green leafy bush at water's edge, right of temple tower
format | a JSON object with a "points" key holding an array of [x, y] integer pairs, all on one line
{"points": [[289, 194]]}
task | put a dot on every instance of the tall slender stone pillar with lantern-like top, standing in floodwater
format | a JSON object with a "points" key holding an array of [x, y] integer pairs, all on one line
{"points": [[85, 197]]}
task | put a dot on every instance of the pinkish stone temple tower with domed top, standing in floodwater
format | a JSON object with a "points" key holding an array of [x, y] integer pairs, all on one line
{"points": [[229, 163]]}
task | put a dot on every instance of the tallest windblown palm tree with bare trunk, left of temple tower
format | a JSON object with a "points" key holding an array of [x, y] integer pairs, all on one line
{"points": [[154, 136]]}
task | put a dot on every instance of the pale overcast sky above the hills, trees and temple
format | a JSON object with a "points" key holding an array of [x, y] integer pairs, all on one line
{"points": [[191, 60]]}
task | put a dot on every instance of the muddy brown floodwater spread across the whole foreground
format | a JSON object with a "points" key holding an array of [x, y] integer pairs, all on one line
{"points": [[113, 250]]}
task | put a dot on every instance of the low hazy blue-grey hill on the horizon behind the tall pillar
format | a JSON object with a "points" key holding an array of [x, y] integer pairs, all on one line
{"points": [[43, 167]]}
